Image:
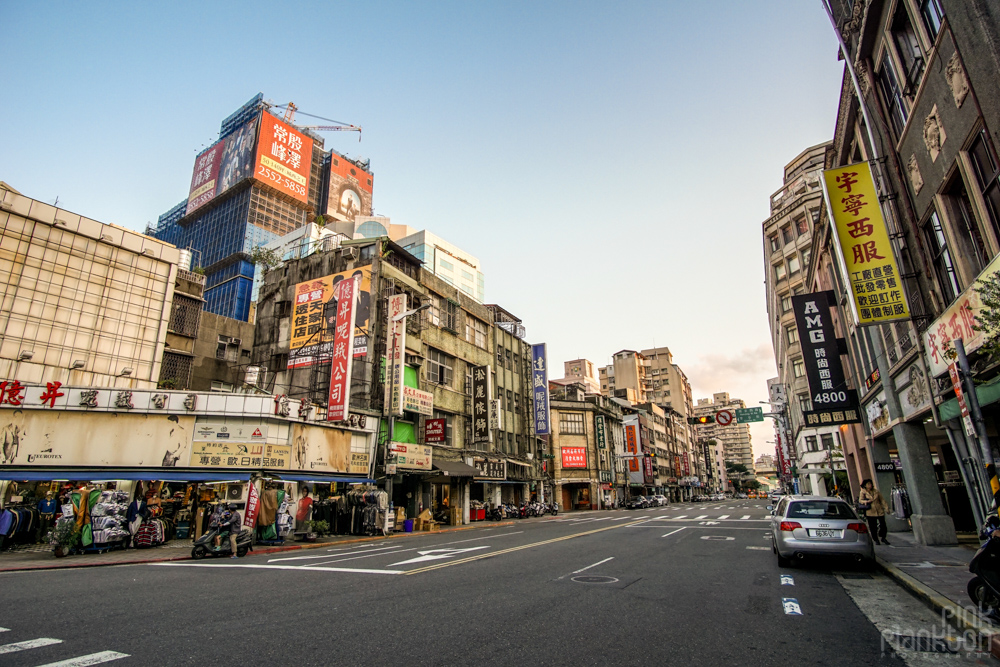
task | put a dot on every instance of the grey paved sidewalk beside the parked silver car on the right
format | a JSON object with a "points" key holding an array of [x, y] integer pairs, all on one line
{"points": [[938, 576]]}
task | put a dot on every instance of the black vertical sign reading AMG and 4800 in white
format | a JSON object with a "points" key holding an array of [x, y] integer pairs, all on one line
{"points": [[821, 357]]}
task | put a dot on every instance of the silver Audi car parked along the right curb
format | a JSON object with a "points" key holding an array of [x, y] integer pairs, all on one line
{"points": [[818, 526]]}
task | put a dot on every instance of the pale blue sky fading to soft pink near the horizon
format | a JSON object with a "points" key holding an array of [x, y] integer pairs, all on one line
{"points": [[610, 164]]}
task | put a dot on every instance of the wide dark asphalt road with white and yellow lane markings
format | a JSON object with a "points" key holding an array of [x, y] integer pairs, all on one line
{"points": [[687, 584]]}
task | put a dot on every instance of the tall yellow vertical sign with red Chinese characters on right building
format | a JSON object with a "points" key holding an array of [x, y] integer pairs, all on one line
{"points": [[872, 270]]}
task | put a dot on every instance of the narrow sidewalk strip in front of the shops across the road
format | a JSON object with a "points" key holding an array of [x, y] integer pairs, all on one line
{"points": [[40, 558]]}
